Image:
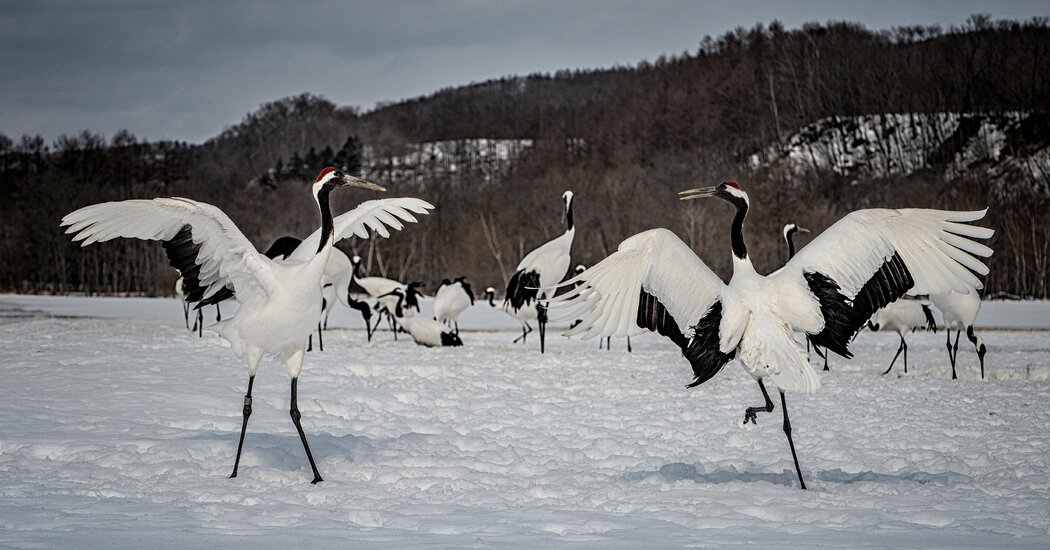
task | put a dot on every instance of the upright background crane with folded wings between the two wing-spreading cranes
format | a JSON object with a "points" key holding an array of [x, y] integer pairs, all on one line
{"points": [[541, 270]]}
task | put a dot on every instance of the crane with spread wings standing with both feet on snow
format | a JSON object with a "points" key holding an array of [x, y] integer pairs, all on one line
{"points": [[280, 303]]}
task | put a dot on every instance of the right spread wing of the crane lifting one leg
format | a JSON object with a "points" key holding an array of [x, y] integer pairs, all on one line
{"points": [[873, 258]]}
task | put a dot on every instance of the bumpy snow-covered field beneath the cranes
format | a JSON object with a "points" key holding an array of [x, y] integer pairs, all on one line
{"points": [[118, 430]]}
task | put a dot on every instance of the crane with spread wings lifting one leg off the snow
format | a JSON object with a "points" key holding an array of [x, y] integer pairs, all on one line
{"points": [[829, 290]]}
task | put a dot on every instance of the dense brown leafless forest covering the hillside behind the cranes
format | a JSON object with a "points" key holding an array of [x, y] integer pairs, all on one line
{"points": [[624, 139]]}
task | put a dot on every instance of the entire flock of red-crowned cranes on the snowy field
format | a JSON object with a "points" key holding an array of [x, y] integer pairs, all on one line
{"points": [[829, 290]]}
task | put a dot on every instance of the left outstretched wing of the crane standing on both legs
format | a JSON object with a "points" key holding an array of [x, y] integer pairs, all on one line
{"points": [[202, 242]]}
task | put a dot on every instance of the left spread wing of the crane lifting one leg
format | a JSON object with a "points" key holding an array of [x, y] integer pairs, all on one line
{"points": [[654, 282]]}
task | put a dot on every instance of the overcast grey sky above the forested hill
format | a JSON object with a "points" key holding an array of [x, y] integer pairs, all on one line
{"points": [[169, 70]]}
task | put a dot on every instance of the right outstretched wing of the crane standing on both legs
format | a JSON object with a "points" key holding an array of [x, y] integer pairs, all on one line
{"points": [[377, 216]]}
